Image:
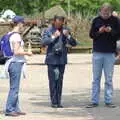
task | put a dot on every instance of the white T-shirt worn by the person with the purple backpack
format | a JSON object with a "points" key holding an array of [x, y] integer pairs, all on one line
{"points": [[13, 38]]}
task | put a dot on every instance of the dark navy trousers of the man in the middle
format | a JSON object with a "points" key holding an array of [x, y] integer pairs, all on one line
{"points": [[55, 75]]}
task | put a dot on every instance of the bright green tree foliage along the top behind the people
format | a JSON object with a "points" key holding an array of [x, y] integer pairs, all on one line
{"points": [[30, 7]]}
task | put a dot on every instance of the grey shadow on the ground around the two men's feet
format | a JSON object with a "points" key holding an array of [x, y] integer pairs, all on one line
{"points": [[75, 106]]}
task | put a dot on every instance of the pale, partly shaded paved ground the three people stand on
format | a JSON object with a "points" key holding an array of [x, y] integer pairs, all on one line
{"points": [[34, 92]]}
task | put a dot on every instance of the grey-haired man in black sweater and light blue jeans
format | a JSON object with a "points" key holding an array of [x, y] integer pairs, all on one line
{"points": [[105, 31]]}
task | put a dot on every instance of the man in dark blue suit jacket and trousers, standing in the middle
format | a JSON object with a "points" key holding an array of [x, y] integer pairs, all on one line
{"points": [[56, 39]]}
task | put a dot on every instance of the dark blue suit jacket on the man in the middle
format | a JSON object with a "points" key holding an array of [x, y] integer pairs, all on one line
{"points": [[47, 40]]}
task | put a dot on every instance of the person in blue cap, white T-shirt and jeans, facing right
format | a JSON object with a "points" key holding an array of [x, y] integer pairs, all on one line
{"points": [[15, 66]]}
